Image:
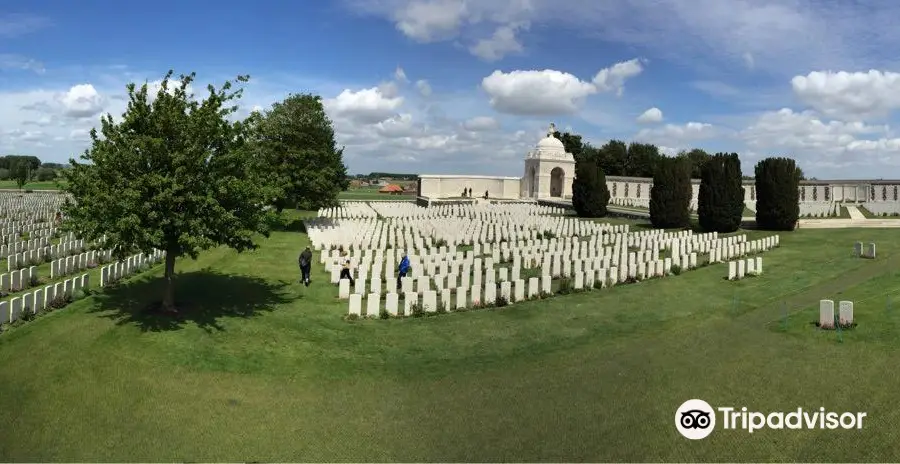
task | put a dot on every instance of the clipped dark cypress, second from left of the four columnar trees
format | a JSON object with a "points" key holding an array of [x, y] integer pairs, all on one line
{"points": [[670, 196]]}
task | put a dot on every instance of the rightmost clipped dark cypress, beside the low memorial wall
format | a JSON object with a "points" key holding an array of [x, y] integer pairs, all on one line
{"points": [[777, 194]]}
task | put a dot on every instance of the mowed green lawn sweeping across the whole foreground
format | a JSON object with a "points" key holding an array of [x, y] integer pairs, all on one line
{"points": [[264, 369]]}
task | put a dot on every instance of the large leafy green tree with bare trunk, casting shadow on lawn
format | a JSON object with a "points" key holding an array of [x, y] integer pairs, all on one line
{"points": [[173, 174]]}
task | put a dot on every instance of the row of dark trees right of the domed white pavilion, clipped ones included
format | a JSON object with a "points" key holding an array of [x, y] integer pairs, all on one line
{"points": [[721, 195]]}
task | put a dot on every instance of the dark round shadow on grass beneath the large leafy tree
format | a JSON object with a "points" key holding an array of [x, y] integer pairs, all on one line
{"points": [[203, 298]]}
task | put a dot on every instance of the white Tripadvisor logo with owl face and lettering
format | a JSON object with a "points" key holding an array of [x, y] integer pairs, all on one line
{"points": [[696, 419]]}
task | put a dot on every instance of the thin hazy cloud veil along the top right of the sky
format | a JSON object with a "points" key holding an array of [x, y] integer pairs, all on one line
{"points": [[781, 36]]}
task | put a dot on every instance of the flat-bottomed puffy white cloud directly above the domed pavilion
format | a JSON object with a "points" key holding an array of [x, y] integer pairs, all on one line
{"points": [[546, 92]]}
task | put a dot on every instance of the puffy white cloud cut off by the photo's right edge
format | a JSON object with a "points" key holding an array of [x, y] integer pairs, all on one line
{"points": [[850, 95]]}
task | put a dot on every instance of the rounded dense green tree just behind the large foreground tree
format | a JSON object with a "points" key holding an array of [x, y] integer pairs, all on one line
{"points": [[296, 139]]}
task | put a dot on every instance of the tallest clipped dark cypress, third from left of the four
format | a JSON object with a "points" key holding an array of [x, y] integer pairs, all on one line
{"points": [[721, 197]]}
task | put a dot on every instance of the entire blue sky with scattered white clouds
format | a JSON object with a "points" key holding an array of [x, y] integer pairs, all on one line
{"points": [[456, 86]]}
